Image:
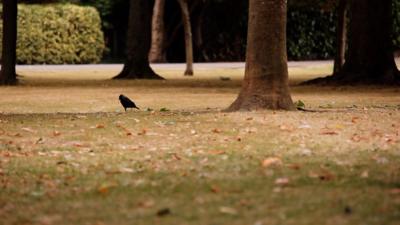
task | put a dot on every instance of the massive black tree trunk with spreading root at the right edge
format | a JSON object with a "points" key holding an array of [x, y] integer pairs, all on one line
{"points": [[369, 59]]}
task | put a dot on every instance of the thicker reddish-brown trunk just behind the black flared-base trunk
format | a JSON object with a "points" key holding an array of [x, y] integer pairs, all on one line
{"points": [[157, 51]]}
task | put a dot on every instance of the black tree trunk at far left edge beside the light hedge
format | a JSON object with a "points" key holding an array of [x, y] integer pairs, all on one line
{"points": [[8, 75]]}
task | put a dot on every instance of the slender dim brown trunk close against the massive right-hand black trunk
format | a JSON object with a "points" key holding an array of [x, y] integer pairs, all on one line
{"points": [[341, 36]]}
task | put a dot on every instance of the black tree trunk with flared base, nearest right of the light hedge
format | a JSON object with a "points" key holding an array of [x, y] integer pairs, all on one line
{"points": [[138, 42]]}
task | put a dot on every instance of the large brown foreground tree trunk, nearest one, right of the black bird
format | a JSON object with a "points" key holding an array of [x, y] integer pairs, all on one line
{"points": [[265, 85]]}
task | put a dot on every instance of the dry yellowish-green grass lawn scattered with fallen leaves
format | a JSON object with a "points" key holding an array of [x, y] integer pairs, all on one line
{"points": [[69, 154]]}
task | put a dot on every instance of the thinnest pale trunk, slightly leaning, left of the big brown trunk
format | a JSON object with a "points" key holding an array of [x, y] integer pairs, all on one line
{"points": [[188, 37]]}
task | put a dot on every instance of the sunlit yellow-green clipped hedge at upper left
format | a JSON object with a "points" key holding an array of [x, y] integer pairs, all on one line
{"points": [[58, 34]]}
